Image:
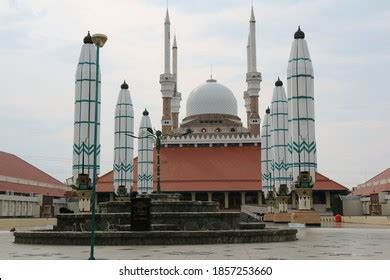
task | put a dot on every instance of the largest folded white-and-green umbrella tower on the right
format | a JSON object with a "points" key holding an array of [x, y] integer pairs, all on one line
{"points": [[302, 142]]}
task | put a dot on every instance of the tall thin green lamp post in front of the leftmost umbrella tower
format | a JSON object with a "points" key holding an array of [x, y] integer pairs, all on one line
{"points": [[99, 40]]}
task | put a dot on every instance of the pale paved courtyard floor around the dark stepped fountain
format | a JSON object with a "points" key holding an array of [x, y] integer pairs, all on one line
{"points": [[346, 241]]}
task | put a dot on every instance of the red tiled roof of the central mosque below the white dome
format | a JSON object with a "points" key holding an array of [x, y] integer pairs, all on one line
{"points": [[211, 169]]}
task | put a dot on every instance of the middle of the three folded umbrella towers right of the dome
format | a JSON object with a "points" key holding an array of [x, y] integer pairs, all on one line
{"points": [[279, 146]]}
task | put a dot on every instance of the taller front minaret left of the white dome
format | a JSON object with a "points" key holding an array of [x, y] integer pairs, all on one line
{"points": [[167, 80]]}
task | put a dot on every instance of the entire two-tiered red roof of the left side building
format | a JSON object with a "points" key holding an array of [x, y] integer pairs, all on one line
{"points": [[13, 166]]}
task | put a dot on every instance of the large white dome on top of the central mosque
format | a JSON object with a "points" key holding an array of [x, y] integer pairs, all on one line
{"points": [[211, 98]]}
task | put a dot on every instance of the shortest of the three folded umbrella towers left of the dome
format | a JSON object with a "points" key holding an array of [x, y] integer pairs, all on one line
{"points": [[145, 155]]}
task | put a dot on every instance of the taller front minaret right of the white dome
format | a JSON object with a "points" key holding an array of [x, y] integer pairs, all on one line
{"points": [[253, 78]]}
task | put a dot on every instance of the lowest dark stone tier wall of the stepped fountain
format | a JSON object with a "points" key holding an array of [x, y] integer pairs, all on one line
{"points": [[157, 237]]}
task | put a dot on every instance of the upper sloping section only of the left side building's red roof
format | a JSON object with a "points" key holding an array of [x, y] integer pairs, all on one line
{"points": [[13, 166]]}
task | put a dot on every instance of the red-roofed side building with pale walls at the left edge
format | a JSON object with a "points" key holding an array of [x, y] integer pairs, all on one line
{"points": [[25, 190]]}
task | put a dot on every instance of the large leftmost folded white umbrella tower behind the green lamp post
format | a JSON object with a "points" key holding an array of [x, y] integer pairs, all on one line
{"points": [[84, 117]]}
